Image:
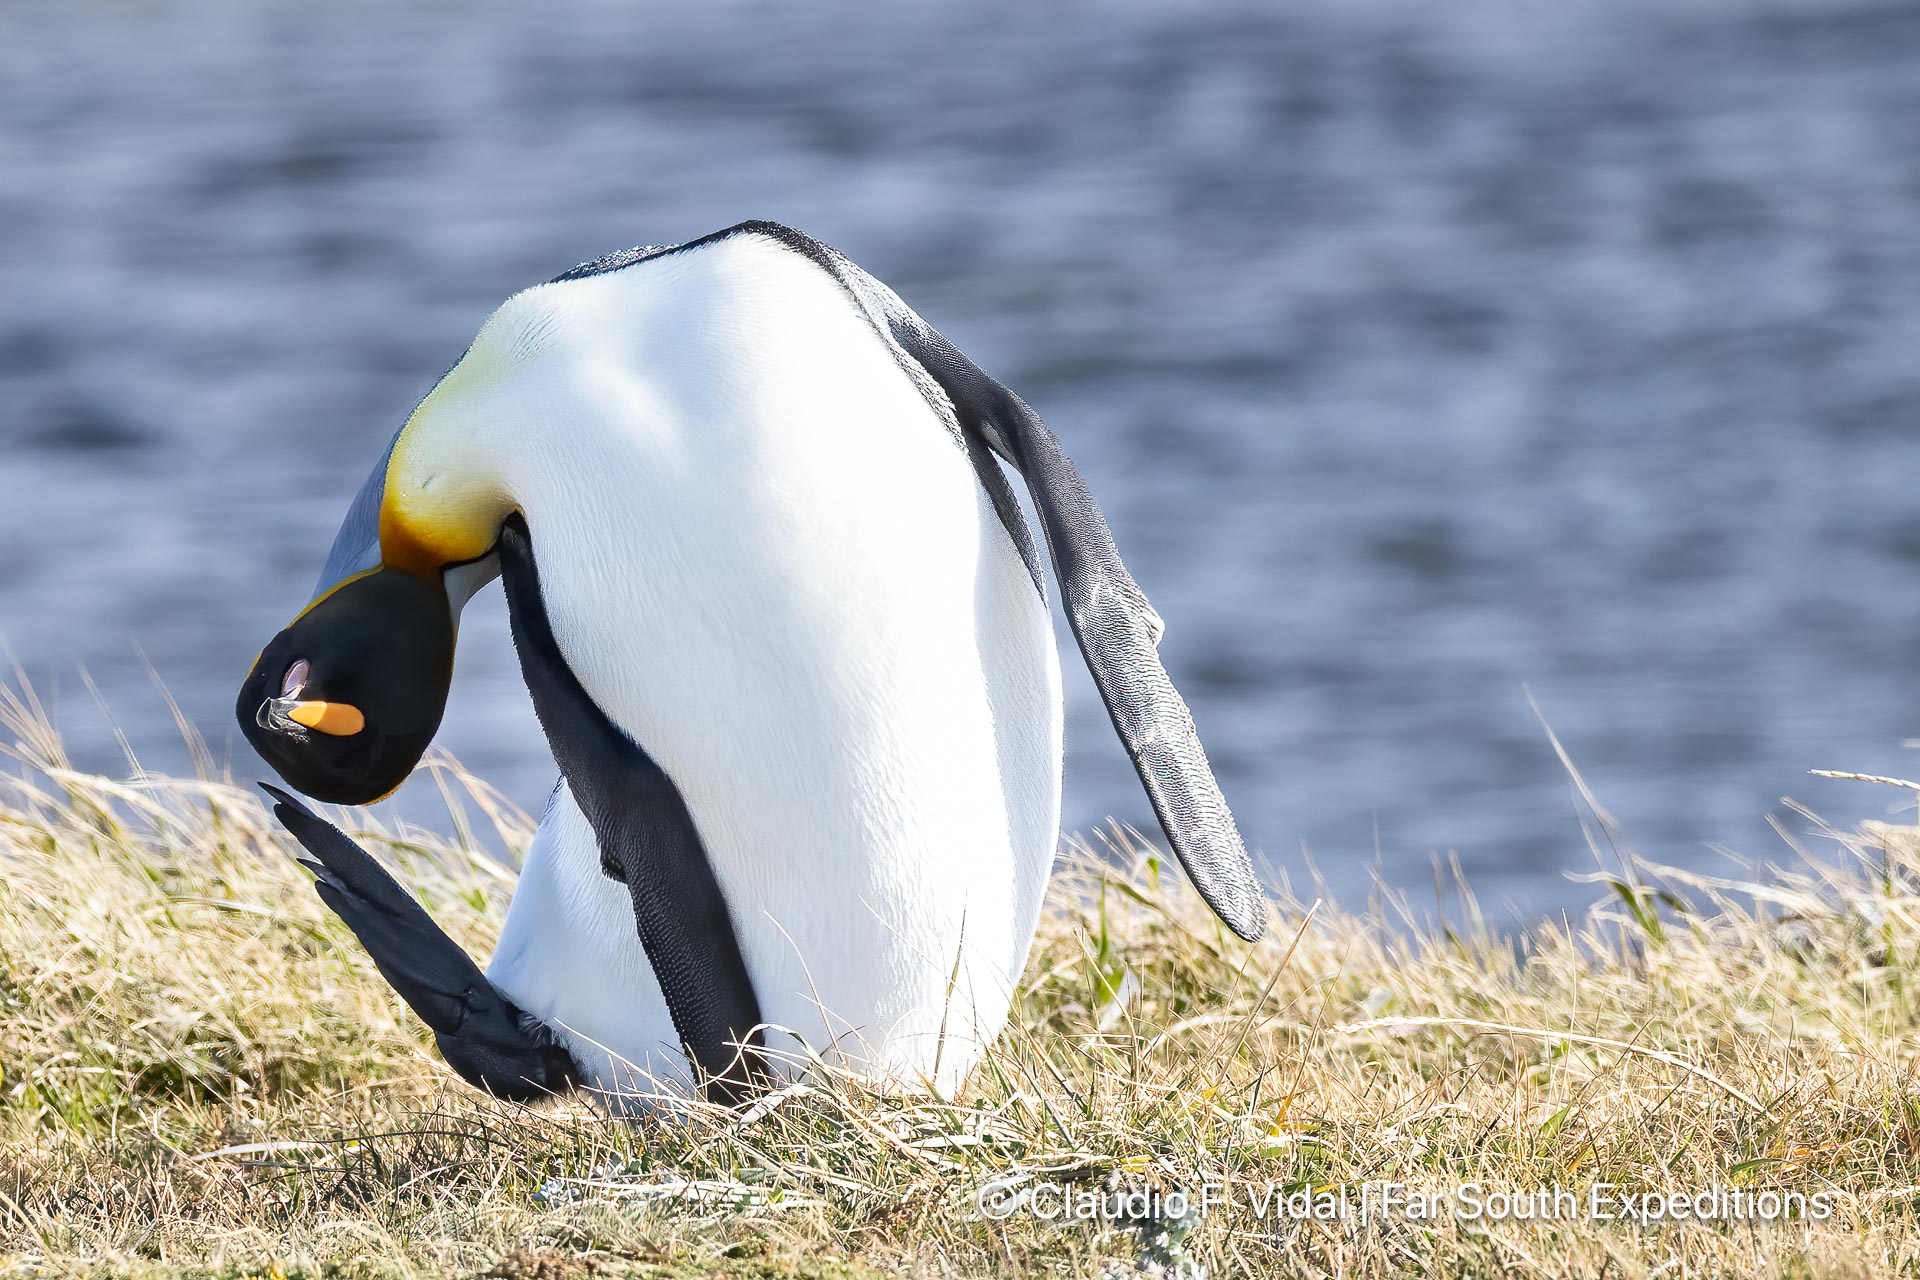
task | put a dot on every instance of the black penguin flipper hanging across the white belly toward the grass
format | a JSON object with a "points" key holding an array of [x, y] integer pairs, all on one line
{"points": [[648, 841]]}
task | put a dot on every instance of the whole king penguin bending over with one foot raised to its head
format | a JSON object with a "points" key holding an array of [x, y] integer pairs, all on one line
{"points": [[786, 632]]}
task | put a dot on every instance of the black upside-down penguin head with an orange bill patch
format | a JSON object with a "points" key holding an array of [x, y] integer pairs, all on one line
{"points": [[345, 701]]}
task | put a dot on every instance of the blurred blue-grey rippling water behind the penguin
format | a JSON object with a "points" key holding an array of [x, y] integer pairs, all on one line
{"points": [[1418, 356]]}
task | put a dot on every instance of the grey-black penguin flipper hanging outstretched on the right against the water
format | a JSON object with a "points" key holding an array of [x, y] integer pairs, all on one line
{"points": [[1116, 628]]}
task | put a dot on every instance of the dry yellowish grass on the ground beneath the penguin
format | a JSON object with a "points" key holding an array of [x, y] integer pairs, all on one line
{"points": [[204, 1076]]}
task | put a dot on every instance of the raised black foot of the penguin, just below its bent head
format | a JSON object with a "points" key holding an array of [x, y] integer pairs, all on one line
{"points": [[483, 1035]]}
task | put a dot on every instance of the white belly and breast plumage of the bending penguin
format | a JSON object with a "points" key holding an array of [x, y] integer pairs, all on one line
{"points": [[769, 561]]}
